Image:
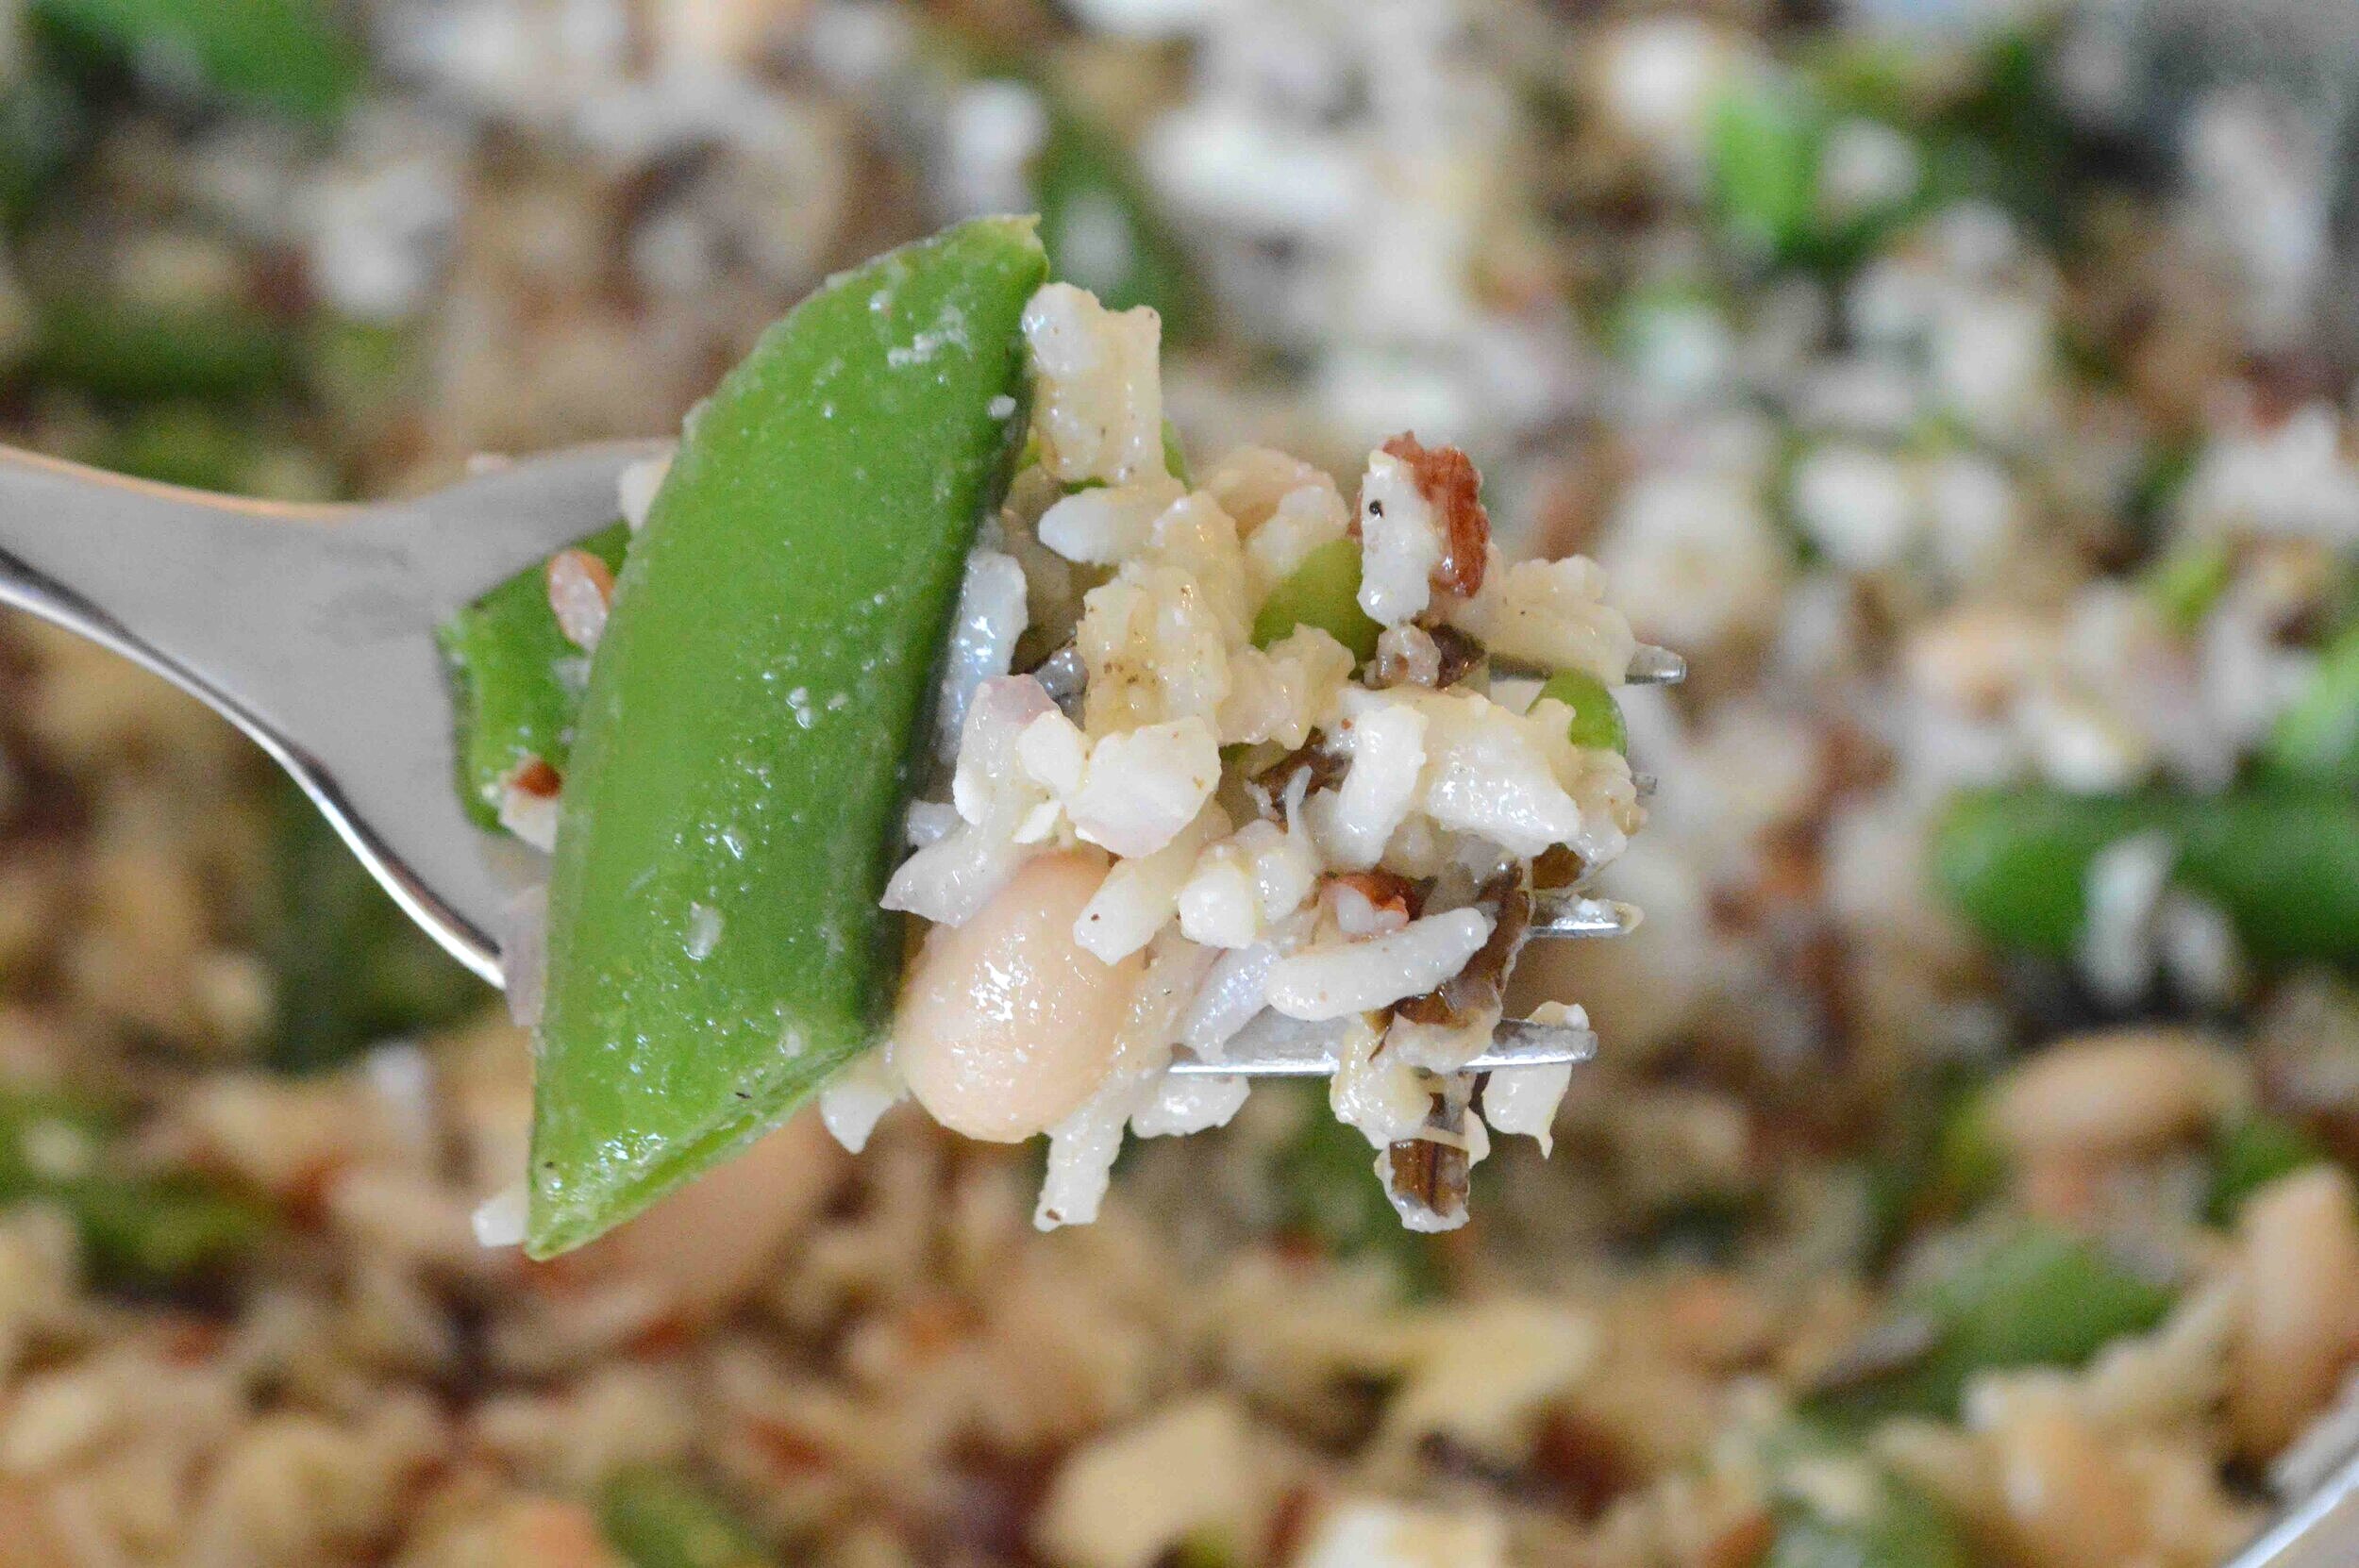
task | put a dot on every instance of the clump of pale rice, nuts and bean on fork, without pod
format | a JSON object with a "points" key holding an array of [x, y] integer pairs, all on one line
{"points": [[1261, 838]]}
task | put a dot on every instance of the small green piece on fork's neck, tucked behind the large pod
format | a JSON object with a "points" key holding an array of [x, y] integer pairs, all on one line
{"points": [[520, 680]]}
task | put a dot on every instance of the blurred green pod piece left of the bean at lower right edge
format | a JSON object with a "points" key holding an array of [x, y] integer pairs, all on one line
{"points": [[2023, 1298]]}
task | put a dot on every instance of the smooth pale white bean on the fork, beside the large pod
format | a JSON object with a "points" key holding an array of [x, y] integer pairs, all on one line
{"points": [[1008, 1025]]}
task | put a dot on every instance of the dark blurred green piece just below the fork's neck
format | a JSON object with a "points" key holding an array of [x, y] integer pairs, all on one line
{"points": [[350, 970]]}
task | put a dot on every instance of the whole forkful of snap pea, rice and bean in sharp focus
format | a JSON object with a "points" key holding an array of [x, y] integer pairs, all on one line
{"points": [[926, 619]]}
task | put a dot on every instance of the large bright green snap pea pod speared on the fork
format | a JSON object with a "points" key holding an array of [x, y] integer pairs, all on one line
{"points": [[742, 765]]}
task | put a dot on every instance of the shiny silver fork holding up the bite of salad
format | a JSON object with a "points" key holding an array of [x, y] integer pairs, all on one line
{"points": [[313, 631]]}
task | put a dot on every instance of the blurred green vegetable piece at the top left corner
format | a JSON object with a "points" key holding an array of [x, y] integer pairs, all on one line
{"points": [[282, 55]]}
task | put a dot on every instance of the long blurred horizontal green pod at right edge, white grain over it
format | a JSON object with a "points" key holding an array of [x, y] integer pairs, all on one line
{"points": [[2280, 862]]}
